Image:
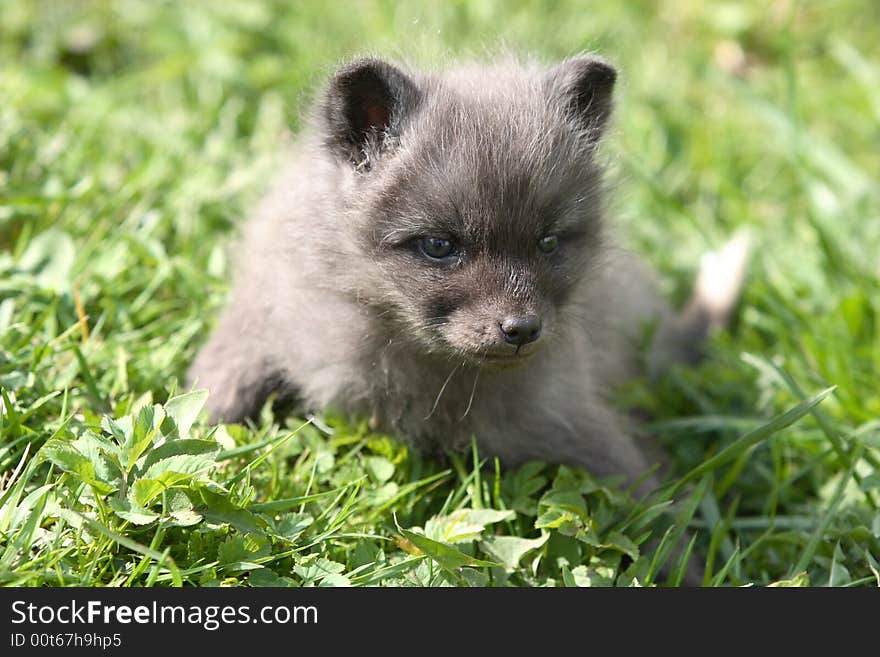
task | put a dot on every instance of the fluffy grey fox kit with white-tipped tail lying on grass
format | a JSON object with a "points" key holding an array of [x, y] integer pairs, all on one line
{"points": [[436, 257]]}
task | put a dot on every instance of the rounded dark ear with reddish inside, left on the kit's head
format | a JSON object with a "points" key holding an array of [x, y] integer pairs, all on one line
{"points": [[364, 104]]}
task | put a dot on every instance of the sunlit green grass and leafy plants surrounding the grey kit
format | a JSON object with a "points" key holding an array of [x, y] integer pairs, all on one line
{"points": [[134, 135]]}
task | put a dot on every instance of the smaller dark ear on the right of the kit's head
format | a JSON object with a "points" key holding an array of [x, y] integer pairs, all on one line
{"points": [[585, 84]]}
